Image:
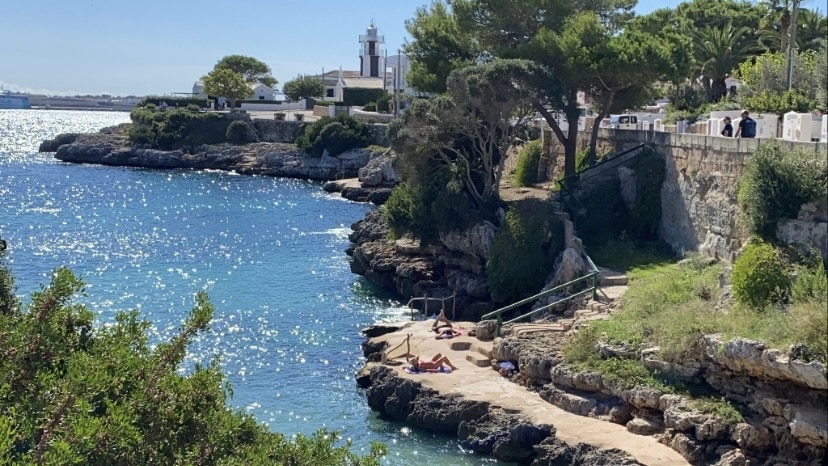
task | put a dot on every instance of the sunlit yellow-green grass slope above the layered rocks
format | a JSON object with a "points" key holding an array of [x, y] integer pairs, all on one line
{"points": [[672, 305]]}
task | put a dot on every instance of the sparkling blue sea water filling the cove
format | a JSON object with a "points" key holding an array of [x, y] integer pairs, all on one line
{"points": [[268, 251]]}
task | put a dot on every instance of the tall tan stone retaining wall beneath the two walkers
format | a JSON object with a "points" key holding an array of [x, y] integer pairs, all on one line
{"points": [[698, 197]]}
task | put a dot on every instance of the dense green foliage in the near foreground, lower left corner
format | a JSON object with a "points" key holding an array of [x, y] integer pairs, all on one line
{"points": [[73, 393]]}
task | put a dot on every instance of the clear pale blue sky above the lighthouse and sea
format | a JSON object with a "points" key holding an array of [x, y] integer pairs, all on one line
{"points": [[124, 47]]}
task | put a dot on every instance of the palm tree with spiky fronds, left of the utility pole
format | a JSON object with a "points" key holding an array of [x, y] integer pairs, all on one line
{"points": [[718, 51]]}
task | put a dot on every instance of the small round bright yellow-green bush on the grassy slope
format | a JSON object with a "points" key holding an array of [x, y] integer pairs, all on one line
{"points": [[760, 275]]}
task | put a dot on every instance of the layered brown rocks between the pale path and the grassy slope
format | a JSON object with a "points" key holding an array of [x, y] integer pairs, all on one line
{"points": [[782, 400]]}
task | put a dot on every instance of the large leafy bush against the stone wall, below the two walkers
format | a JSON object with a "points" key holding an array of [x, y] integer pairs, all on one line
{"points": [[776, 182]]}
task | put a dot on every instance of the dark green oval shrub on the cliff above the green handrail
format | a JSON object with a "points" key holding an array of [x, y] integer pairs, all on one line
{"points": [[524, 250]]}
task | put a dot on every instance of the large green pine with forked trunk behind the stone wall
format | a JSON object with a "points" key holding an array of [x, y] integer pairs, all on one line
{"points": [[569, 38]]}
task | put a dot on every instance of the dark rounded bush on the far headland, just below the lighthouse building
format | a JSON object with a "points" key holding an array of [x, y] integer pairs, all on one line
{"points": [[334, 134]]}
